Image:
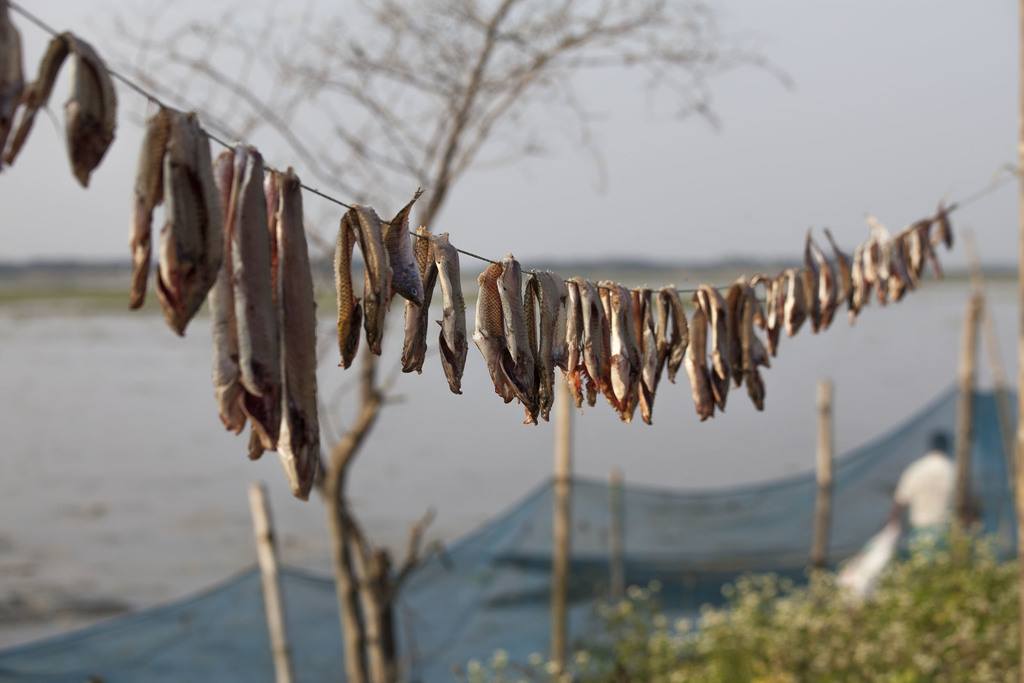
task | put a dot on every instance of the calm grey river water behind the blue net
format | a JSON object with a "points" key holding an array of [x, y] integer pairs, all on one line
{"points": [[119, 487]]}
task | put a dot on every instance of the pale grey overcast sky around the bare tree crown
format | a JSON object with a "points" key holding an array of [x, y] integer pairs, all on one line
{"points": [[895, 106]]}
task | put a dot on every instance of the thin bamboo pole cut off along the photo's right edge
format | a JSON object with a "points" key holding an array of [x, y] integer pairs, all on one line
{"points": [[1019, 456]]}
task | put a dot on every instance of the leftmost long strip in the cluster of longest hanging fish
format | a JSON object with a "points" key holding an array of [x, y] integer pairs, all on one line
{"points": [[227, 375]]}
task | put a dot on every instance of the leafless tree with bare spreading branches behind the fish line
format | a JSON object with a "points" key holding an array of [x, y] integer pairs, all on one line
{"points": [[372, 100]]}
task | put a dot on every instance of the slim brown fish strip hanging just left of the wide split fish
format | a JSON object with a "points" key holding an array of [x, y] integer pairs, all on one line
{"points": [[149, 195]]}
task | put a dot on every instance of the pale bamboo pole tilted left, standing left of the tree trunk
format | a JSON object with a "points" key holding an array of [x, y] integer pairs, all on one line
{"points": [[274, 602]]}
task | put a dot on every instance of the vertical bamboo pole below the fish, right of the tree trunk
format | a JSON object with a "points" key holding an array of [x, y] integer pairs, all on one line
{"points": [[563, 526]]}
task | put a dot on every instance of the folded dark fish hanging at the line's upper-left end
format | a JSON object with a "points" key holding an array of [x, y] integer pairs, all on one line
{"points": [[91, 113]]}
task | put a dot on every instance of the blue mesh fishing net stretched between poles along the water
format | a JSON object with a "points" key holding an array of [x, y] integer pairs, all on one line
{"points": [[491, 590]]}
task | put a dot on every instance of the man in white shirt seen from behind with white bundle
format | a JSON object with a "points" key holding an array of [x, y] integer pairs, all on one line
{"points": [[925, 496]]}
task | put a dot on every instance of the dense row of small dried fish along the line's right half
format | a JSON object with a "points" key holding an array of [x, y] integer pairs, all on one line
{"points": [[613, 341]]}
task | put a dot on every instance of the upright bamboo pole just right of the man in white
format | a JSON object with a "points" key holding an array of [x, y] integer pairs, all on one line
{"points": [[965, 410]]}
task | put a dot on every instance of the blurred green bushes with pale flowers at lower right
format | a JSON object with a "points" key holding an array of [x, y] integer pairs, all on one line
{"points": [[947, 614]]}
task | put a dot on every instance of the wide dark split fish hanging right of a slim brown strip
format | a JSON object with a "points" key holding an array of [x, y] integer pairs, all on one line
{"points": [[192, 239]]}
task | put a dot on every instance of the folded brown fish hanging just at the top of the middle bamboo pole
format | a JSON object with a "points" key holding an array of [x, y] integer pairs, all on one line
{"points": [[542, 303]]}
